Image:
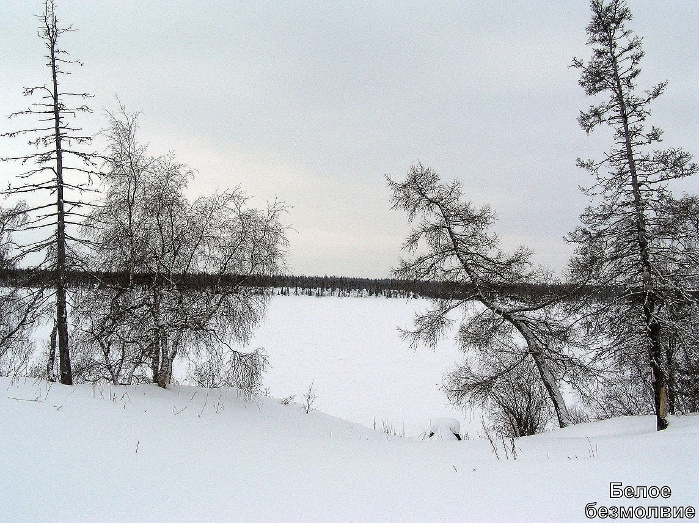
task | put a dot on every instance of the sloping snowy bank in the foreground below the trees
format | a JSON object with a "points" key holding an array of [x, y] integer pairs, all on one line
{"points": [[141, 453]]}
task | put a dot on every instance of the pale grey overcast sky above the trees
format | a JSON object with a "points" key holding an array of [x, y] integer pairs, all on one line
{"points": [[313, 102]]}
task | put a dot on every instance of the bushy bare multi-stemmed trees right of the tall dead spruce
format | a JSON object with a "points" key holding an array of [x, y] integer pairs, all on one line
{"points": [[147, 230]]}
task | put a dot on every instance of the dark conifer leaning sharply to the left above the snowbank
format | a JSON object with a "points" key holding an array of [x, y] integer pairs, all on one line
{"points": [[502, 331]]}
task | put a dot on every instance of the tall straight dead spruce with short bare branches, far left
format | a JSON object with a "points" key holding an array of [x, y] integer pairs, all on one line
{"points": [[58, 169]]}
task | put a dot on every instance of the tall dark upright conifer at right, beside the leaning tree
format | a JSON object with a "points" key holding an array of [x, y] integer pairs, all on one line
{"points": [[625, 241]]}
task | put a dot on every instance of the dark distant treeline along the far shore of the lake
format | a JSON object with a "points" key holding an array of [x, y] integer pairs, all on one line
{"points": [[299, 285]]}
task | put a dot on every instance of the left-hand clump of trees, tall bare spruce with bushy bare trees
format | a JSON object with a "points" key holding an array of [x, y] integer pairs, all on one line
{"points": [[138, 224]]}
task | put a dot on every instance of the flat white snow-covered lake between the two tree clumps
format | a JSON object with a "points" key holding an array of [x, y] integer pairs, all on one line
{"points": [[350, 350]]}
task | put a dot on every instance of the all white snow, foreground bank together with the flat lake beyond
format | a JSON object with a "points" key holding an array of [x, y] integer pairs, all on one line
{"points": [[106, 453]]}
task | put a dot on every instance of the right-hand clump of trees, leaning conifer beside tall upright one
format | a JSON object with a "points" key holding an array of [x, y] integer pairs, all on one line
{"points": [[625, 337]]}
